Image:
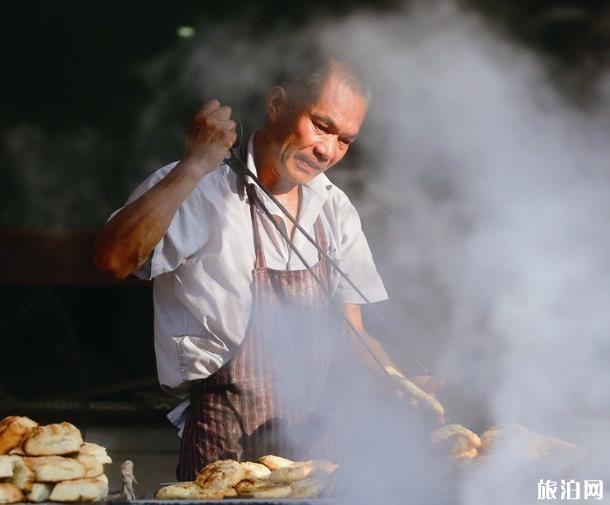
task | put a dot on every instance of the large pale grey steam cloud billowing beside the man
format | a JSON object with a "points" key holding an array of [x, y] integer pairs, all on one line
{"points": [[484, 196]]}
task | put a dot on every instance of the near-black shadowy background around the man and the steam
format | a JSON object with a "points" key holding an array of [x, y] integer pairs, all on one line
{"points": [[74, 85]]}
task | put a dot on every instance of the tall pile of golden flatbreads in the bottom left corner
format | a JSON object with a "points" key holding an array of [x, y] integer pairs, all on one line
{"points": [[49, 463]]}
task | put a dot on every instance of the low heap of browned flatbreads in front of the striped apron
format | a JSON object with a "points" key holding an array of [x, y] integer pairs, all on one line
{"points": [[271, 477]]}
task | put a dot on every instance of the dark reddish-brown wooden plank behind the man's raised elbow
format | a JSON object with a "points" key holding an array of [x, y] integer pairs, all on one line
{"points": [[52, 256]]}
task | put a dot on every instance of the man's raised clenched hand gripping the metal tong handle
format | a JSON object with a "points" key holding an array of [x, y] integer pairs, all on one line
{"points": [[210, 135]]}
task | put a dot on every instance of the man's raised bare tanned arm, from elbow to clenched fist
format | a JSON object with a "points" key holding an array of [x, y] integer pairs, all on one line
{"points": [[127, 240]]}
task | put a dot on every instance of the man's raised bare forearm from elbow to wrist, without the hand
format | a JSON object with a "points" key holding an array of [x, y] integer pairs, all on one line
{"points": [[128, 238]]}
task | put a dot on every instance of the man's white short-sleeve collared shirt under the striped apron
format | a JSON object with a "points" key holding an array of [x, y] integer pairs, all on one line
{"points": [[202, 268]]}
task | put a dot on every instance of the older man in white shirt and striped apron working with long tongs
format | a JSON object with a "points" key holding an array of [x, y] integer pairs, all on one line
{"points": [[224, 273]]}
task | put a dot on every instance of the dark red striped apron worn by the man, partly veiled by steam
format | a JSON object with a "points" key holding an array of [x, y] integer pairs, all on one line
{"points": [[265, 399]]}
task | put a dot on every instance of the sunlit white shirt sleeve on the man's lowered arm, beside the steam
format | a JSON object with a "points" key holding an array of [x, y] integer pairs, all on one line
{"points": [[356, 260]]}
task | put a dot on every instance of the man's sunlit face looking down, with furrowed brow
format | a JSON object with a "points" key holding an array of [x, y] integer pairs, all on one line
{"points": [[311, 138]]}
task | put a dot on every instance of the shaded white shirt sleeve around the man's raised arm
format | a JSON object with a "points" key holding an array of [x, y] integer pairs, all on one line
{"points": [[187, 233]]}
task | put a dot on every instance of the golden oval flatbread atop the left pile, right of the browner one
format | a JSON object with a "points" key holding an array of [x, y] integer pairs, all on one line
{"points": [[53, 439]]}
